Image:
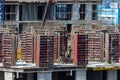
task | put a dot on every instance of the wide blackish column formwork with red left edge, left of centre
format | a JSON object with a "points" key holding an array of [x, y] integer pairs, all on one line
{"points": [[45, 50]]}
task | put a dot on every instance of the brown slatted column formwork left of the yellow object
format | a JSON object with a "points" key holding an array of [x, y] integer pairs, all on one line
{"points": [[9, 43]]}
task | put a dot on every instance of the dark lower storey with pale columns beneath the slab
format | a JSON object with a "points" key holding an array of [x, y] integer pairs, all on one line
{"points": [[57, 75]]}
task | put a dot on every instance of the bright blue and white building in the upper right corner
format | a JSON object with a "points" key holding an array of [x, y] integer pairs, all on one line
{"points": [[110, 13]]}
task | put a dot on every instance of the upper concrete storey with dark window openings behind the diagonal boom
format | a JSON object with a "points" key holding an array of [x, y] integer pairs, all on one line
{"points": [[24, 13]]}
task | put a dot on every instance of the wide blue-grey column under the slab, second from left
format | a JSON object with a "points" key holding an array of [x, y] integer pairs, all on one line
{"points": [[44, 76]]}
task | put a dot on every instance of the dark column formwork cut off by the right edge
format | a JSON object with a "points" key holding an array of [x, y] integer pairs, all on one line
{"points": [[114, 47]]}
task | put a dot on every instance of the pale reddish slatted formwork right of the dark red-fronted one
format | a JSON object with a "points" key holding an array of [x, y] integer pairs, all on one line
{"points": [[95, 47]]}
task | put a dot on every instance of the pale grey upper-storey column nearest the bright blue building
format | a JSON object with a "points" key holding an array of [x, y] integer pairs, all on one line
{"points": [[88, 11]]}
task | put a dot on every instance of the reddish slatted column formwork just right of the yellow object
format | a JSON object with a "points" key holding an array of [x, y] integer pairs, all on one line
{"points": [[27, 47]]}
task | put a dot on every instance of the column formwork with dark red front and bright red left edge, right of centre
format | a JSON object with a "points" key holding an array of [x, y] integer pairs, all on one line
{"points": [[79, 48]]}
